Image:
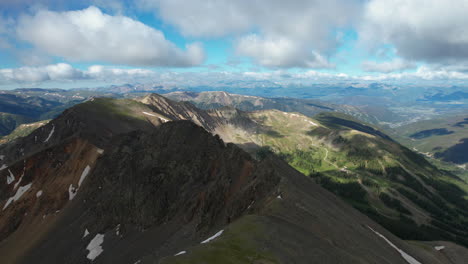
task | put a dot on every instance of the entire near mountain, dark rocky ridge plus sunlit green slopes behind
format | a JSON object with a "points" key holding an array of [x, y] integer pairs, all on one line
{"points": [[152, 180]]}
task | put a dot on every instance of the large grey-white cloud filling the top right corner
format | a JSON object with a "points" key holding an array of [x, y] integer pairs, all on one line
{"points": [[428, 30]]}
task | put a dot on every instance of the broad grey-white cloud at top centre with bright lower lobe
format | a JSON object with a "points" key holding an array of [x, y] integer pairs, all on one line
{"points": [[305, 30]]}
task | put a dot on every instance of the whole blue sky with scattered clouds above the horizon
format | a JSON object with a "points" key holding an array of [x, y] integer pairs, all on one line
{"points": [[90, 43]]}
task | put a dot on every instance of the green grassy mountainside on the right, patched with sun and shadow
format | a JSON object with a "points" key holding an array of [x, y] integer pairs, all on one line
{"points": [[383, 179]]}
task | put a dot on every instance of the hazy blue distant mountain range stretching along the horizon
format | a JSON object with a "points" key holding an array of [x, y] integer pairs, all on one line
{"points": [[381, 104]]}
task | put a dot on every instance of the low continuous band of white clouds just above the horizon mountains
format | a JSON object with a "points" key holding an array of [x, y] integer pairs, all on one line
{"points": [[62, 72]]}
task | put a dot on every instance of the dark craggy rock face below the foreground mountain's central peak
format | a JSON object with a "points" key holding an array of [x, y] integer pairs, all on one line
{"points": [[178, 171]]}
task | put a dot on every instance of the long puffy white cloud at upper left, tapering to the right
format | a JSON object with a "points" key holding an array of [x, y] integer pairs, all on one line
{"points": [[90, 35]]}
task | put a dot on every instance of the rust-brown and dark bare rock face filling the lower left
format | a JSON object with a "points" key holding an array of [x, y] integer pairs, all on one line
{"points": [[177, 178]]}
